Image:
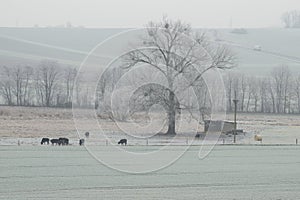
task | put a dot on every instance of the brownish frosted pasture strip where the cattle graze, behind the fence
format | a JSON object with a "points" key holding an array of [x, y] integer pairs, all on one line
{"points": [[29, 125]]}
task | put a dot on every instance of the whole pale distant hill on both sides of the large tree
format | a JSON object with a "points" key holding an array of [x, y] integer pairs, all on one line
{"points": [[71, 45]]}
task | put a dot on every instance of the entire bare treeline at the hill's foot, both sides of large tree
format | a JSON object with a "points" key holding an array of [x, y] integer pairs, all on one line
{"points": [[51, 85]]}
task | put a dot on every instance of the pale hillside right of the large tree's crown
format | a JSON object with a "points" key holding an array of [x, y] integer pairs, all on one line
{"points": [[278, 46]]}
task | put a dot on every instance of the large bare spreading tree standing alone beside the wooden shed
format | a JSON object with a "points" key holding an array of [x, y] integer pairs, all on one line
{"points": [[175, 51]]}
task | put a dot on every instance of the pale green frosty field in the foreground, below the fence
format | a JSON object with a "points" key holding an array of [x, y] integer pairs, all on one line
{"points": [[229, 172]]}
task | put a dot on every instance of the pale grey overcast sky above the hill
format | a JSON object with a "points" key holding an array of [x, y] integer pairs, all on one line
{"points": [[136, 13]]}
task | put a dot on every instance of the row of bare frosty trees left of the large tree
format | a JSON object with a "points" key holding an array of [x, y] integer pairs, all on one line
{"points": [[48, 84]]}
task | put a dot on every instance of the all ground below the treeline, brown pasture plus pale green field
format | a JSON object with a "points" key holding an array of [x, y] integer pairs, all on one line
{"points": [[32, 171]]}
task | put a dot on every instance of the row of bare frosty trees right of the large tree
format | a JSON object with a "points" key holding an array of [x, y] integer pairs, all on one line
{"points": [[278, 92]]}
